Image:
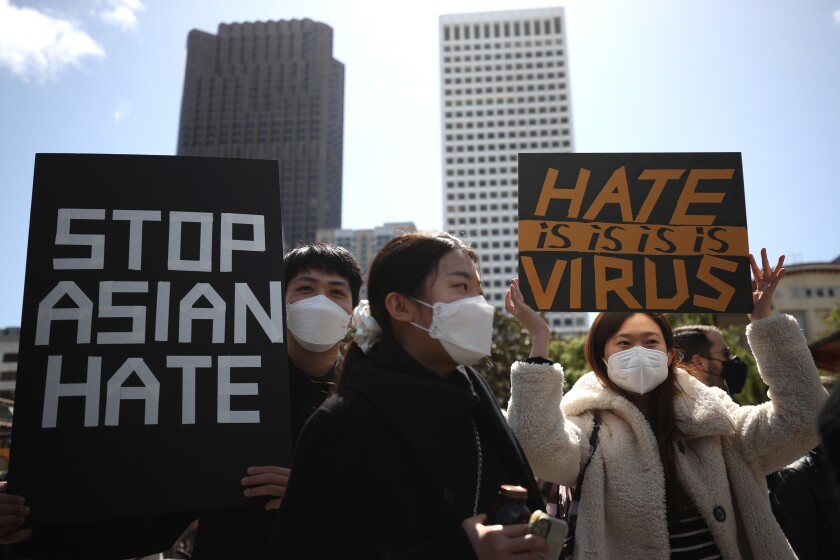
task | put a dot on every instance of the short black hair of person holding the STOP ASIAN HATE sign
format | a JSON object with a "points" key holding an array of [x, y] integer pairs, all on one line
{"points": [[324, 257]]}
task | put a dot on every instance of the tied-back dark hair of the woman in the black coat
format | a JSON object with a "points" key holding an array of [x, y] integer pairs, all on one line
{"points": [[403, 265]]}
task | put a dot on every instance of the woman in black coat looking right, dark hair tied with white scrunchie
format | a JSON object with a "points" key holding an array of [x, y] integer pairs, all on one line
{"points": [[408, 457]]}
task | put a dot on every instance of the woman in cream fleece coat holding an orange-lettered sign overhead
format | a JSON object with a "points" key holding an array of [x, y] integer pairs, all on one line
{"points": [[681, 462]]}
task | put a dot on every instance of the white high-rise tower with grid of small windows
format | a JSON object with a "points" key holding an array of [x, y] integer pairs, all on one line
{"points": [[504, 90]]}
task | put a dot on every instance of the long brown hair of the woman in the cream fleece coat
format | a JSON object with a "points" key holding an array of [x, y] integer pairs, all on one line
{"points": [[660, 411]]}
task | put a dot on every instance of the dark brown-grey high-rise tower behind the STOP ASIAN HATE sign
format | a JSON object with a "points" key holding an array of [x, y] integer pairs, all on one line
{"points": [[271, 90]]}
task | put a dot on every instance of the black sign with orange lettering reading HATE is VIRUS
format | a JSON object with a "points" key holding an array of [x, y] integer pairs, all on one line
{"points": [[623, 232]]}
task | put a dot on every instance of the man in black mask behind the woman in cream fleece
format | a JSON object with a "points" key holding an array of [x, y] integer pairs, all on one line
{"points": [[703, 350]]}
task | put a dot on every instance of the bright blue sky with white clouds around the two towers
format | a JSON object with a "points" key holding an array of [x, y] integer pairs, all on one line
{"points": [[757, 77]]}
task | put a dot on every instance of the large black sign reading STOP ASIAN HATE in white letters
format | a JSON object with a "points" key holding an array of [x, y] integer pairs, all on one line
{"points": [[152, 368]]}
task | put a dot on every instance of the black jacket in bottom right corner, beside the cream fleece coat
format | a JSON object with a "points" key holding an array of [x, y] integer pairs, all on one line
{"points": [[805, 506]]}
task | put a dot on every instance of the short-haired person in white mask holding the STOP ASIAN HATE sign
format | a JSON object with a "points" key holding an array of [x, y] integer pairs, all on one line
{"points": [[322, 283]]}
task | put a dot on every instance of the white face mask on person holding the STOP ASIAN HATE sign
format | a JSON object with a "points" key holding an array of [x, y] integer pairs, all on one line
{"points": [[317, 323]]}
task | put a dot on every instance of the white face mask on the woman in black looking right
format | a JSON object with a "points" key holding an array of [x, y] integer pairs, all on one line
{"points": [[464, 328]]}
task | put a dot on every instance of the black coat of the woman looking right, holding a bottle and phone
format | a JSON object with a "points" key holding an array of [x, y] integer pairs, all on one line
{"points": [[388, 467]]}
